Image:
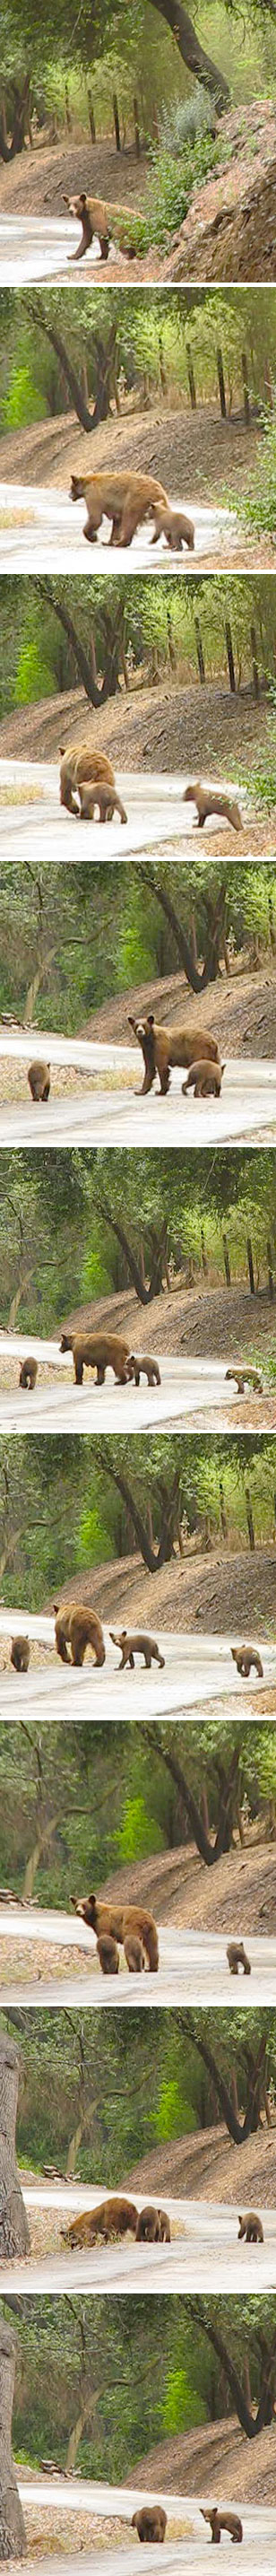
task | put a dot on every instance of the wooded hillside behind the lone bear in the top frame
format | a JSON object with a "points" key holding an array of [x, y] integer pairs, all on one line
{"points": [[153, 109]]}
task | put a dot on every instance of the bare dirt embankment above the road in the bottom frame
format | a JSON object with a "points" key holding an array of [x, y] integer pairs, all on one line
{"points": [[192, 2464]]}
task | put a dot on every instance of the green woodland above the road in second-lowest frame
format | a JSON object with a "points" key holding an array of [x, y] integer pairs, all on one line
{"points": [[79, 2114]]}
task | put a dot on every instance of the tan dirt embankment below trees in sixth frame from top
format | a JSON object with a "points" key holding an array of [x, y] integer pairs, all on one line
{"points": [[228, 1593]]}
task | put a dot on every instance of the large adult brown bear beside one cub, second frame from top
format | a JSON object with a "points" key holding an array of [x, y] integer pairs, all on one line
{"points": [[125, 498]]}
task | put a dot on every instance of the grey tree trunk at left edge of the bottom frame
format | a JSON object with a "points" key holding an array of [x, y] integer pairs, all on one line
{"points": [[12, 2515]]}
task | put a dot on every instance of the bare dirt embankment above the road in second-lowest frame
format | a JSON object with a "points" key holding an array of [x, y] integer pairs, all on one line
{"points": [[210, 2168]]}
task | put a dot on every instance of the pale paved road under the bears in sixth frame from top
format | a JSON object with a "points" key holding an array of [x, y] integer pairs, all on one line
{"points": [[200, 1676]]}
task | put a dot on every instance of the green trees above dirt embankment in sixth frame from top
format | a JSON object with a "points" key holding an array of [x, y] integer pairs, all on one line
{"points": [[81, 1508]]}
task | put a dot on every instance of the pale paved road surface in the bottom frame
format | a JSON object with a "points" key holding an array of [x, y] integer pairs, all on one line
{"points": [[259, 2544]]}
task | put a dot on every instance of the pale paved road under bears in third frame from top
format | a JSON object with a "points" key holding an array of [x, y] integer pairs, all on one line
{"points": [[156, 818]]}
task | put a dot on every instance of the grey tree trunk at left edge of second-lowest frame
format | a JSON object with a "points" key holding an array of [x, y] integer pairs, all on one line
{"points": [[14, 2224]]}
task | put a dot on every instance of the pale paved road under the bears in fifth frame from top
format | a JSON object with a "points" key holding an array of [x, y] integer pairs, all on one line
{"points": [[187, 1392]]}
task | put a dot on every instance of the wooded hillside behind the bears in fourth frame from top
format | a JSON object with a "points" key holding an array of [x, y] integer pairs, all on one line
{"points": [[146, 936]]}
